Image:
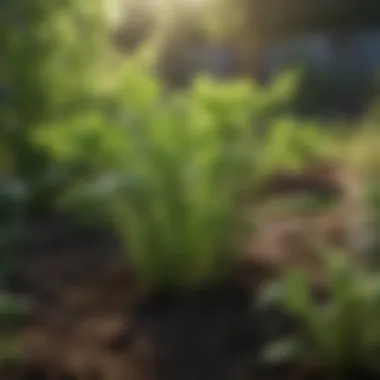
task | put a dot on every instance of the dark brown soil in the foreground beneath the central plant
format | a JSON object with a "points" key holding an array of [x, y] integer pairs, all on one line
{"points": [[91, 321]]}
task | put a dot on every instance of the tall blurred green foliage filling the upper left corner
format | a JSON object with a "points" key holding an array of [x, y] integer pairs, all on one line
{"points": [[51, 56]]}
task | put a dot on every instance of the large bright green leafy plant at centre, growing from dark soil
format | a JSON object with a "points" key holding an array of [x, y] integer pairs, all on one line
{"points": [[168, 168]]}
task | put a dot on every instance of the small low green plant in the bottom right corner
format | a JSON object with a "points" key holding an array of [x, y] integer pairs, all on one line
{"points": [[342, 332]]}
